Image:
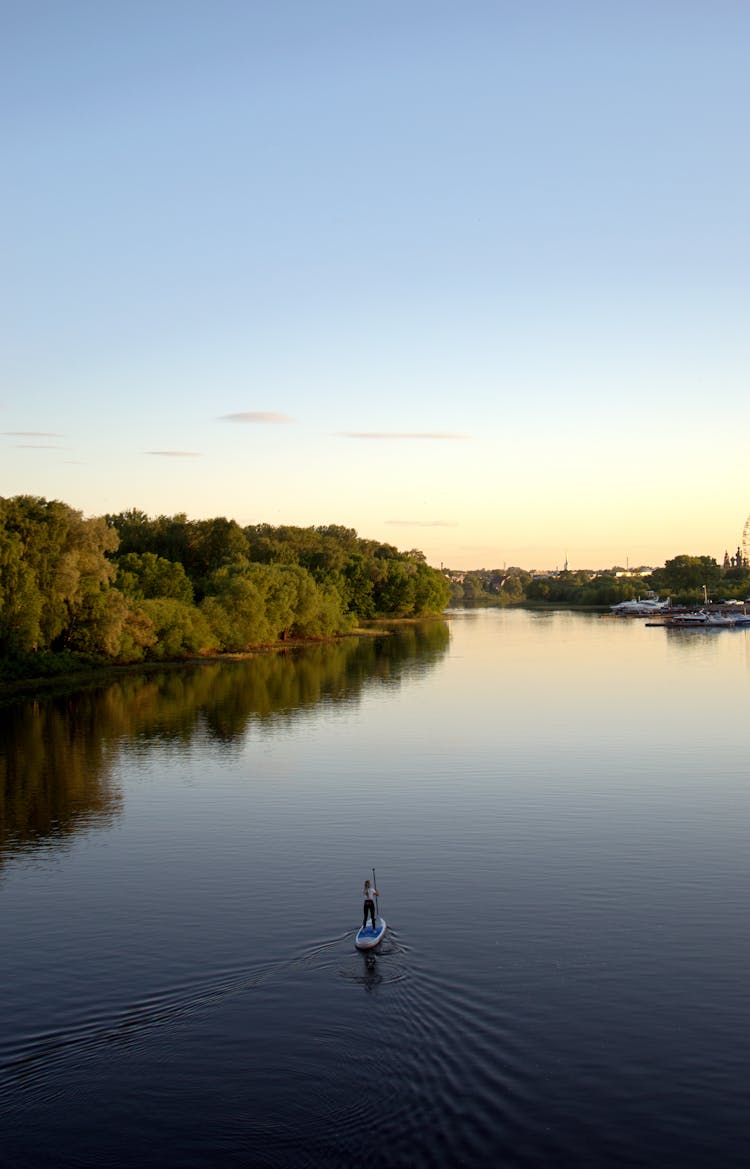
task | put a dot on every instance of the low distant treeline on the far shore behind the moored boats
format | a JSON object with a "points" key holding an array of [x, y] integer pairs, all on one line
{"points": [[685, 579]]}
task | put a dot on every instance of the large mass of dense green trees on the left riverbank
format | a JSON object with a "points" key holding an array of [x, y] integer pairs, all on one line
{"points": [[130, 589]]}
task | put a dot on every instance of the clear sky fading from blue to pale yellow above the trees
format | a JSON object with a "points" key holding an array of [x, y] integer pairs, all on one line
{"points": [[471, 279]]}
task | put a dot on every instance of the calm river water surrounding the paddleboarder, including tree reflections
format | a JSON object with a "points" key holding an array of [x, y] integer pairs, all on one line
{"points": [[558, 810]]}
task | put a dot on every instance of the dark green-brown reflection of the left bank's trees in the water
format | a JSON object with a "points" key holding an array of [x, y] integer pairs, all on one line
{"points": [[58, 756]]}
